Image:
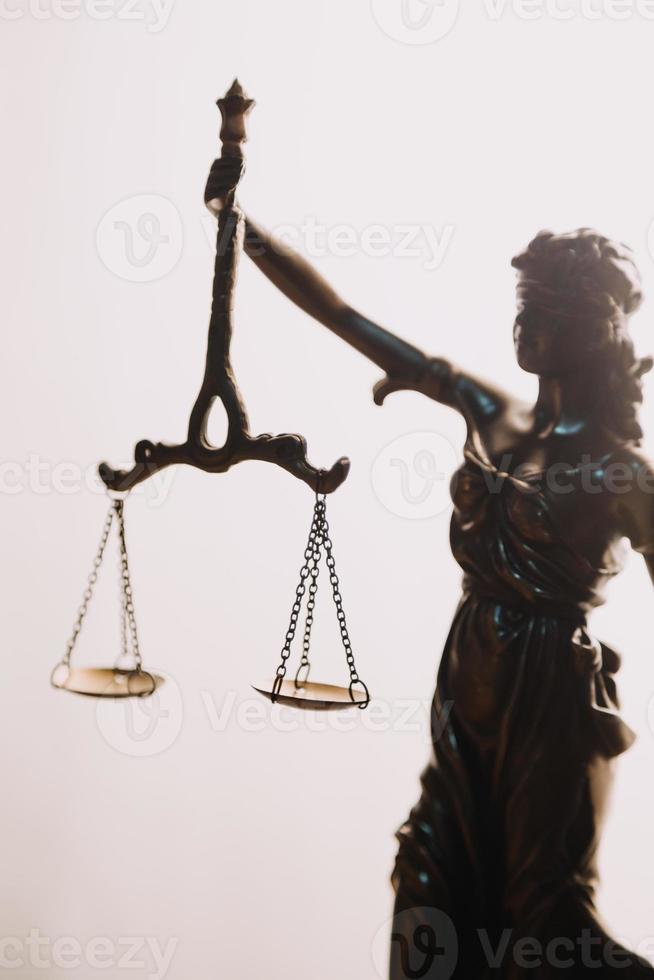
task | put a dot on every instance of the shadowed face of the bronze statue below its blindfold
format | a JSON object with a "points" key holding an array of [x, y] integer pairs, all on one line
{"points": [[548, 345]]}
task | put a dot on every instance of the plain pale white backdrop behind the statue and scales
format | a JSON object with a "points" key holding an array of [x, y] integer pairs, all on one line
{"points": [[229, 840]]}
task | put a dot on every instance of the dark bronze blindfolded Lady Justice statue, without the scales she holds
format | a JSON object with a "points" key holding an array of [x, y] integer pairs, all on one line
{"points": [[505, 834]]}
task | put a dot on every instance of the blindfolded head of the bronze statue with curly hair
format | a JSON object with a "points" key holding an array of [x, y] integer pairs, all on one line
{"points": [[575, 294]]}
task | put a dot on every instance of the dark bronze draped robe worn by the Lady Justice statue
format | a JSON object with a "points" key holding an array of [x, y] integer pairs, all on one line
{"points": [[505, 834]]}
